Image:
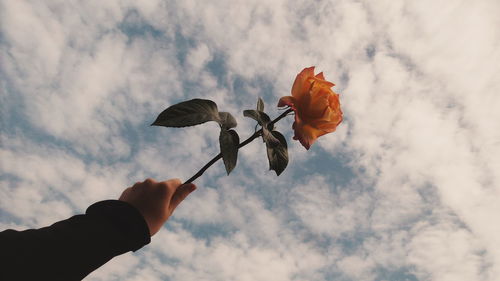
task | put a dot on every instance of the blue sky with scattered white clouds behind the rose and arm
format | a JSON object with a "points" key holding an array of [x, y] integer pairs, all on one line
{"points": [[406, 189]]}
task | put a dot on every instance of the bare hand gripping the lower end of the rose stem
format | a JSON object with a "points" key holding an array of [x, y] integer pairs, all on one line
{"points": [[156, 201]]}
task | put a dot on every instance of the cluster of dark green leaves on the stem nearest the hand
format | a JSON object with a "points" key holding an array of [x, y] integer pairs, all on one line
{"points": [[198, 111]]}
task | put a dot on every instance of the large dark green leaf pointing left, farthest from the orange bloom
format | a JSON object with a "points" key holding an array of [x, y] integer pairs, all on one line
{"points": [[188, 113]]}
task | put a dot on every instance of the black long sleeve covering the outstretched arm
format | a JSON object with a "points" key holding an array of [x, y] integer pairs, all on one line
{"points": [[71, 249]]}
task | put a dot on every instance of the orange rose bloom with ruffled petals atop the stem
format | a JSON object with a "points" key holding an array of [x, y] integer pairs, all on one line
{"points": [[316, 106]]}
